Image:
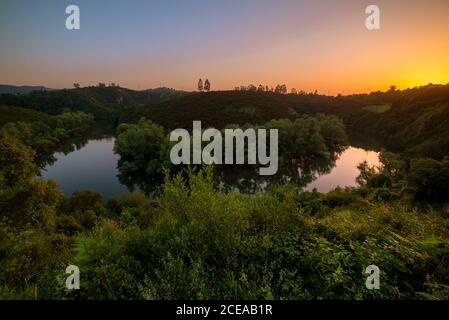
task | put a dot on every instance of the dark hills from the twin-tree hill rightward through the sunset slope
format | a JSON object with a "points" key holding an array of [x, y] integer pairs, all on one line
{"points": [[414, 122]]}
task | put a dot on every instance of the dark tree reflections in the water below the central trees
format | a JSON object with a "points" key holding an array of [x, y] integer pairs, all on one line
{"points": [[246, 179]]}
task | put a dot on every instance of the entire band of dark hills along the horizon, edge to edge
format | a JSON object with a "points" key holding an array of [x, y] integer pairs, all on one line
{"points": [[414, 122]]}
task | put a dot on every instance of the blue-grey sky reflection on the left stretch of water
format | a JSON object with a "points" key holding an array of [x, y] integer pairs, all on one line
{"points": [[94, 166]]}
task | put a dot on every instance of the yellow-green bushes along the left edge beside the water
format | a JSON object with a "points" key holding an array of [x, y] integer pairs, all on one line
{"points": [[27, 212]]}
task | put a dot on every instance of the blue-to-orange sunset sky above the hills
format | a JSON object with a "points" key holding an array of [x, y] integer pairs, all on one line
{"points": [[310, 45]]}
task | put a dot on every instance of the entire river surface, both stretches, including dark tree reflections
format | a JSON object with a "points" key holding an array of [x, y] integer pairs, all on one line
{"points": [[92, 164]]}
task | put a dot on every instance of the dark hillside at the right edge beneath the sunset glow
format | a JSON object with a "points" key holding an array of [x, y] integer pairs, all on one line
{"points": [[416, 125]]}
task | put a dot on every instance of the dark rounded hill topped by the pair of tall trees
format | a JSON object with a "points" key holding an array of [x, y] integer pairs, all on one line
{"points": [[217, 109]]}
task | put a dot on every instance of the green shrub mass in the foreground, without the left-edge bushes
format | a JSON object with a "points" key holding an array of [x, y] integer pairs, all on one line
{"points": [[197, 243]]}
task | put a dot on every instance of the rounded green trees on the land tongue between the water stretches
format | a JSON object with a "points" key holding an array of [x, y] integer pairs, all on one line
{"points": [[144, 147]]}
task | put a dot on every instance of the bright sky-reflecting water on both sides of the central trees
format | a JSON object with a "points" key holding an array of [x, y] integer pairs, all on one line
{"points": [[94, 166]]}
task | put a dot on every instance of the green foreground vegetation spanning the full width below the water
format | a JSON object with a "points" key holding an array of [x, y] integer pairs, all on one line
{"points": [[196, 242]]}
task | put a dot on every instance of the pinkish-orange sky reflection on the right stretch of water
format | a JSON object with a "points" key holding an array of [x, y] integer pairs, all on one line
{"points": [[345, 171]]}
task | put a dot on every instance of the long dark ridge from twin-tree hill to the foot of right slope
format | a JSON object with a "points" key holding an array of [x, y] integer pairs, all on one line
{"points": [[219, 108]]}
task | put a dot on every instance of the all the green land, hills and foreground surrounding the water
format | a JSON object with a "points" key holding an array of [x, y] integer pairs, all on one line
{"points": [[194, 239]]}
